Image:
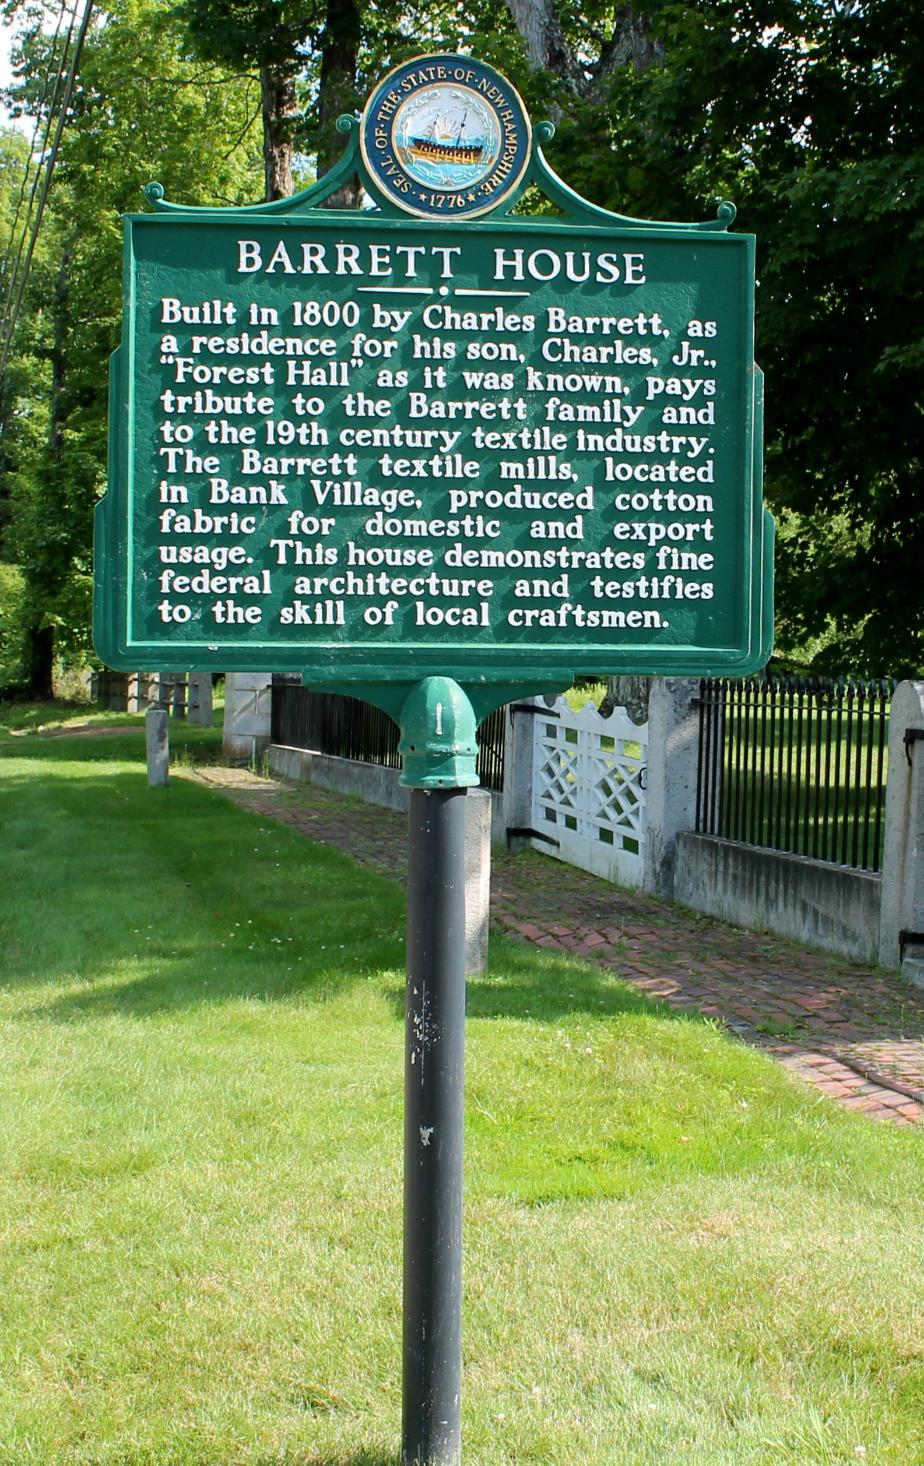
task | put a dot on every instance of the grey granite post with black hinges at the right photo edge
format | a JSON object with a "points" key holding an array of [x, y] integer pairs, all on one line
{"points": [[903, 892]]}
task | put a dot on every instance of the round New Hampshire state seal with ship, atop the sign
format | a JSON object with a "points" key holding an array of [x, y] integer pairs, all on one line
{"points": [[445, 137]]}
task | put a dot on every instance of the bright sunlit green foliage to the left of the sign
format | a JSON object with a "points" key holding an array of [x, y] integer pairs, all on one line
{"points": [[143, 111]]}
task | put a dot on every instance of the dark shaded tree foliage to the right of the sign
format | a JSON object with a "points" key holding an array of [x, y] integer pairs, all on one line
{"points": [[809, 118]]}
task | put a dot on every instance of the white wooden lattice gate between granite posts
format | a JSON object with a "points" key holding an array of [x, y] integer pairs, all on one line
{"points": [[589, 789]]}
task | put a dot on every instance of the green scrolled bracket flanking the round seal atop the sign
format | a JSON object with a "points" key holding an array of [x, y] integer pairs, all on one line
{"points": [[539, 175]]}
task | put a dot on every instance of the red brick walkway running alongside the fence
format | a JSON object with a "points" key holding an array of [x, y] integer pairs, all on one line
{"points": [[854, 1033]]}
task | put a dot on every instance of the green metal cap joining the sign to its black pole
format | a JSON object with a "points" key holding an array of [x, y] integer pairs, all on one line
{"points": [[438, 737]]}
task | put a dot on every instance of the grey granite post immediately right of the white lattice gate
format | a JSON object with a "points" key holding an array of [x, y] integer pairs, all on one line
{"points": [[674, 747]]}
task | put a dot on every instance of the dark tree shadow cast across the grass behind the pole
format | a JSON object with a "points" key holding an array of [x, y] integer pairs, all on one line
{"points": [[152, 901]]}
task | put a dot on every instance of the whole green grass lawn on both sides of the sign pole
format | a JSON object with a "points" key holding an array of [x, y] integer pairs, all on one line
{"points": [[674, 1254]]}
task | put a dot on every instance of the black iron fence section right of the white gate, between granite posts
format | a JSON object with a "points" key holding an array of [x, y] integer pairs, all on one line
{"points": [[797, 766]]}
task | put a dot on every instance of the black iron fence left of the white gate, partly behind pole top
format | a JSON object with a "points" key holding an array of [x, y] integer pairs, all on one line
{"points": [[350, 728]]}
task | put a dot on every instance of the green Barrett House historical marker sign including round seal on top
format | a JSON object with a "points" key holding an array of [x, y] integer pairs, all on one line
{"points": [[435, 436]]}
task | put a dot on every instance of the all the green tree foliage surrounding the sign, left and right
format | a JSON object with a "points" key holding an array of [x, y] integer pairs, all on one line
{"points": [[806, 115]]}
